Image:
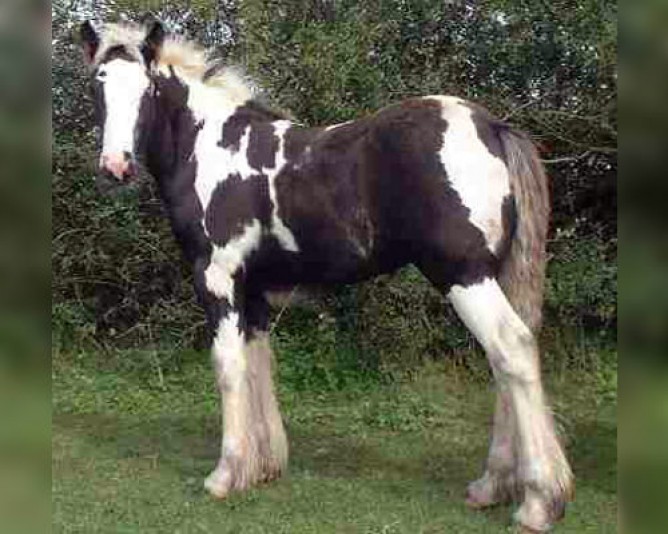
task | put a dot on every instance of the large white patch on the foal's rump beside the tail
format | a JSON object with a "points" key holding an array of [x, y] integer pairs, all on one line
{"points": [[480, 178]]}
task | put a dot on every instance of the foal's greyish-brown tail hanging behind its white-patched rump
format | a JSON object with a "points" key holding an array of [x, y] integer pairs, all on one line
{"points": [[522, 274]]}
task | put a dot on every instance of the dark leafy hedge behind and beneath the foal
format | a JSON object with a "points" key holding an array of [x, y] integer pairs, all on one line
{"points": [[547, 67]]}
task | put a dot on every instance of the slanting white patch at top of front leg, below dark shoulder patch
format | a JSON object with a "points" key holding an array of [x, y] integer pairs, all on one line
{"points": [[226, 260]]}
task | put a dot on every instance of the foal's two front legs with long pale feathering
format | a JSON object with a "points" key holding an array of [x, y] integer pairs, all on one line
{"points": [[254, 446]]}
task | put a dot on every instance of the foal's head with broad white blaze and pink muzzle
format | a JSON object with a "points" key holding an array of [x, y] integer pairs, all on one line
{"points": [[121, 61]]}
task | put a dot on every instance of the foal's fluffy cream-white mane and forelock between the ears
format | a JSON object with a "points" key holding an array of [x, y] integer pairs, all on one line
{"points": [[190, 59]]}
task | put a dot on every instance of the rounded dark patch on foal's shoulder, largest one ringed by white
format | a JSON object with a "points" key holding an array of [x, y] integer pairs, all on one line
{"points": [[234, 204]]}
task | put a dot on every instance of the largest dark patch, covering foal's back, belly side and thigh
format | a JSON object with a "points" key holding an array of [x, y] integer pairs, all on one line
{"points": [[373, 195]]}
